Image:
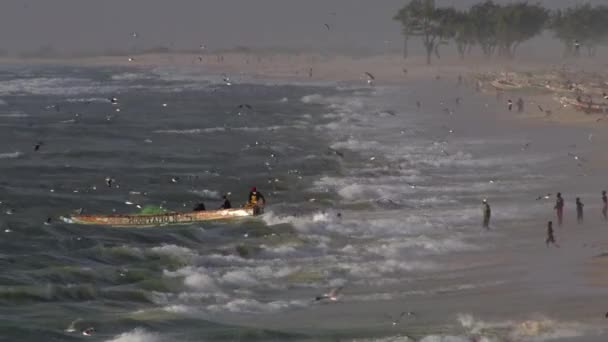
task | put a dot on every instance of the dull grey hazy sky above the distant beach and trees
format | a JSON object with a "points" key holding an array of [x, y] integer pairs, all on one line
{"points": [[99, 24]]}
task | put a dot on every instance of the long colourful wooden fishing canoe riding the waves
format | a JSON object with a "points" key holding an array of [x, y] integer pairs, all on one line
{"points": [[155, 220]]}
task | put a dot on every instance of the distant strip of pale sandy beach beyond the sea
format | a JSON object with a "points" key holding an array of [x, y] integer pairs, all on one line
{"points": [[385, 69]]}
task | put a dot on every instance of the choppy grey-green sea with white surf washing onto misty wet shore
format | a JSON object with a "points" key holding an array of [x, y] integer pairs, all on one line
{"points": [[366, 192]]}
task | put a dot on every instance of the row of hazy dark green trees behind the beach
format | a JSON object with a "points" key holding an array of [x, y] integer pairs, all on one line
{"points": [[500, 29]]}
